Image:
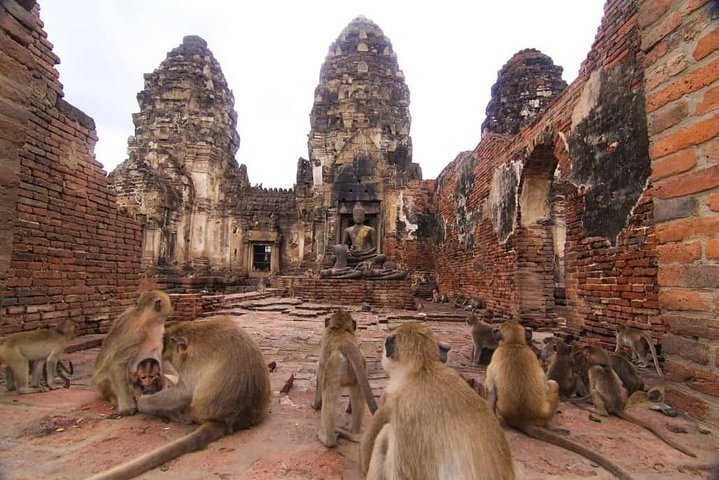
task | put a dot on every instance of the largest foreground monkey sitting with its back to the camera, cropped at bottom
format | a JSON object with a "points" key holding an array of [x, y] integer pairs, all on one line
{"points": [[432, 425]]}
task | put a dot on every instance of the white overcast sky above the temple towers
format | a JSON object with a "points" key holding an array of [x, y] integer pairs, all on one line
{"points": [[271, 53]]}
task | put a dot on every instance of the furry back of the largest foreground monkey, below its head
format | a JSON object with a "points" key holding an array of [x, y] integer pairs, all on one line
{"points": [[451, 428]]}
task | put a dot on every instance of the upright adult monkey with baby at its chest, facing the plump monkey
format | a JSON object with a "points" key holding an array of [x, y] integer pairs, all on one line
{"points": [[135, 336]]}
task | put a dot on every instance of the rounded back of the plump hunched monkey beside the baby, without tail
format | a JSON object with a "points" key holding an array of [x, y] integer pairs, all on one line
{"points": [[232, 382]]}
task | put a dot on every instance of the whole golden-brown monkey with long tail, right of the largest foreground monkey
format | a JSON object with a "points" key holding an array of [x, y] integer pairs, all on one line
{"points": [[520, 394]]}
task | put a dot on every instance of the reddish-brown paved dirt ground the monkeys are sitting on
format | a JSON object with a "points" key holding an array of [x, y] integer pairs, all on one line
{"points": [[70, 434]]}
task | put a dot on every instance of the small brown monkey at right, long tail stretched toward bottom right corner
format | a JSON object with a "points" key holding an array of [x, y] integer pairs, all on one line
{"points": [[610, 397]]}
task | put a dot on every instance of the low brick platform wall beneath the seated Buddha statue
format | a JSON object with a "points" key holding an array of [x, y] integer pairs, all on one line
{"points": [[378, 293]]}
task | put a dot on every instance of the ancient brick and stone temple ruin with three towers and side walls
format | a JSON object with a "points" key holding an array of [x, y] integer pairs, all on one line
{"points": [[583, 208]]}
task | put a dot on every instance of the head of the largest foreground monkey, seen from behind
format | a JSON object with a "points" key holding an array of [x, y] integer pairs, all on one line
{"points": [[410, 347]]}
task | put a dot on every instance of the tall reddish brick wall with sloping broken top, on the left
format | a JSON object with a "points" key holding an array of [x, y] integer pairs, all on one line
{"points": [[72, 255]]}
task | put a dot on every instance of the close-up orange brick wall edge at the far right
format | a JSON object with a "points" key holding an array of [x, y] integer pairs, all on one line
{"points": [[680, 44]]}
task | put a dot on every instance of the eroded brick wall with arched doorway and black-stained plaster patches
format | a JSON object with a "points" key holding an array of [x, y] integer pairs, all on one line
{"points": [[587, 158]]}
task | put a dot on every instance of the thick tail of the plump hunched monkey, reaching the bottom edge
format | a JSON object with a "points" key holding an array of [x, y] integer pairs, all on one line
{"points": [[200, 438]]}
